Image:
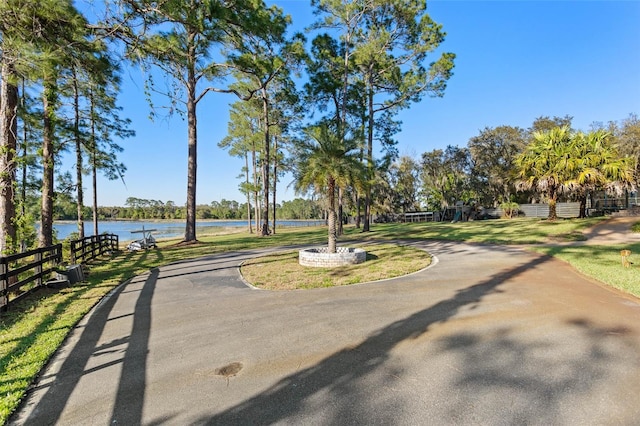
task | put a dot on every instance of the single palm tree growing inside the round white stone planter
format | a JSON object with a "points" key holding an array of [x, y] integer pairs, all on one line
{"points": [[326, 164]]}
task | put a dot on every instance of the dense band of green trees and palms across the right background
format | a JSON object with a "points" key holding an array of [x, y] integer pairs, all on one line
{"points": [[546, 162]]}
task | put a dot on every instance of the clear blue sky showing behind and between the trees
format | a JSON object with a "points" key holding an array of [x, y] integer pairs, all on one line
{"points": [[516, 60]]}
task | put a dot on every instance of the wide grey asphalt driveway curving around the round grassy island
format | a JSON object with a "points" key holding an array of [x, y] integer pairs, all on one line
{"points": [[487, 335]]}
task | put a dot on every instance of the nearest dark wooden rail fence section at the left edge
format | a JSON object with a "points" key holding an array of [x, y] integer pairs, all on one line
{"points": [[16, 271]]}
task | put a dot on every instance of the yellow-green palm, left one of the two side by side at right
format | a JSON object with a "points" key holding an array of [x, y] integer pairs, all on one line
{"points": [[546, 165]]}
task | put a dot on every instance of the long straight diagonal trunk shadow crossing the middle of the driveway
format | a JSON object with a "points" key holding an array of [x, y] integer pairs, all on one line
{"points": [[339, 373]]}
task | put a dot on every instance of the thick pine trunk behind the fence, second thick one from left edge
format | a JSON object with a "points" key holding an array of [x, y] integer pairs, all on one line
{"points": [[48, 154]]}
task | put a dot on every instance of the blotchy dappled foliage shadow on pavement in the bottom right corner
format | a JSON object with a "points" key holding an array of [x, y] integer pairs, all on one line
{"points": [[573, 376]]}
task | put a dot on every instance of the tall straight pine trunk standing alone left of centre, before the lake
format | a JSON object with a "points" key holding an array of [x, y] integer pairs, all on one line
{"points": [[192, 158]]}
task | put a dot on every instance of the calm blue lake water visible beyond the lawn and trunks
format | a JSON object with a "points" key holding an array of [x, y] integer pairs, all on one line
{"points": [[123, 228]]}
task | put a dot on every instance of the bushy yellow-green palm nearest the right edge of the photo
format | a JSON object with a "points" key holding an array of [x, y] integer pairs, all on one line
{"points": [[599, 166]]}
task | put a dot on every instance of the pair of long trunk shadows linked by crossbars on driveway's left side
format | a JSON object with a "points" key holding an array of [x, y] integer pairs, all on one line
{"points": [[131, 385]]}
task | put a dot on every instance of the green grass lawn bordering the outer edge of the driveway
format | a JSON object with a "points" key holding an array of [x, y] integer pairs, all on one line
{"points": [[31, 331]]}
